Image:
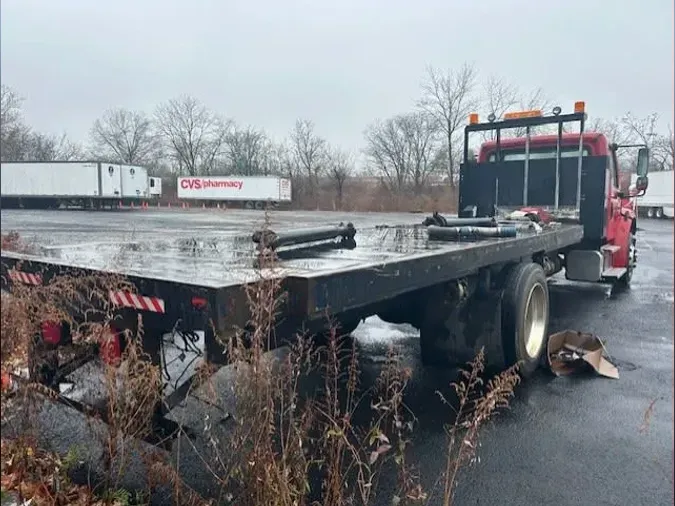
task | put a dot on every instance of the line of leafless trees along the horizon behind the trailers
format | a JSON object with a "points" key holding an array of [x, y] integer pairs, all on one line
{"points": [[406, 151]]}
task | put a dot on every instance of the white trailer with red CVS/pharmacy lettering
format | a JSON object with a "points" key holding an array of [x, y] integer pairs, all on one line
{"points": [[251, 192]]}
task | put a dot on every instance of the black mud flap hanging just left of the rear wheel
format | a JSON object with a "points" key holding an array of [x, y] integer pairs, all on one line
{"points": [[468, 327]]}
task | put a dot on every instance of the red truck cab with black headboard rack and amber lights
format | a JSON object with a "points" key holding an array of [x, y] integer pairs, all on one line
{"points": [[568, 177]]}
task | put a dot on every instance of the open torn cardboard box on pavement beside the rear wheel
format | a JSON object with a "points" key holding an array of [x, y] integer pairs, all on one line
{"points": [[571, 352]]}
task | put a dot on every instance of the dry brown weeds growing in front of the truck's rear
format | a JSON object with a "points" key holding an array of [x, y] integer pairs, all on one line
{"points": [[288, 444]]}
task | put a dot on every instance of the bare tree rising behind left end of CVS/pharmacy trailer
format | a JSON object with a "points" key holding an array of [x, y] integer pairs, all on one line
{"points": [[194, 135]]}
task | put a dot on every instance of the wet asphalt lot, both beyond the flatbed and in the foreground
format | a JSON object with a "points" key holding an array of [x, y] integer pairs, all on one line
{"points": [[577, 440]]}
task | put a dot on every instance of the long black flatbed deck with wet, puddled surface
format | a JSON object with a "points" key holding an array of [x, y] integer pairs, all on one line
{"points": [[387, 261]]}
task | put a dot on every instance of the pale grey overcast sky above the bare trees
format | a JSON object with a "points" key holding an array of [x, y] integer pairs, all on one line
{"points": [[340, 63]]}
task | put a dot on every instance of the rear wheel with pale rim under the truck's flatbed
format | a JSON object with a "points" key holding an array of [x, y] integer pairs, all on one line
{"points": [[525, 316]]}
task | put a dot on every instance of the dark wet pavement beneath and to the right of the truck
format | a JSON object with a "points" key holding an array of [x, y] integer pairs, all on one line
{"points": [[574, 440]]}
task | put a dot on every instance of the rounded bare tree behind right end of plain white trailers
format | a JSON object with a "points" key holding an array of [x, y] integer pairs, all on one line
{"points": [[124, 136]]}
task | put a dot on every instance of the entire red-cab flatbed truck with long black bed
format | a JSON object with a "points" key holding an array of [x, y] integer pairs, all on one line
{"points": [[528, 210]]}
